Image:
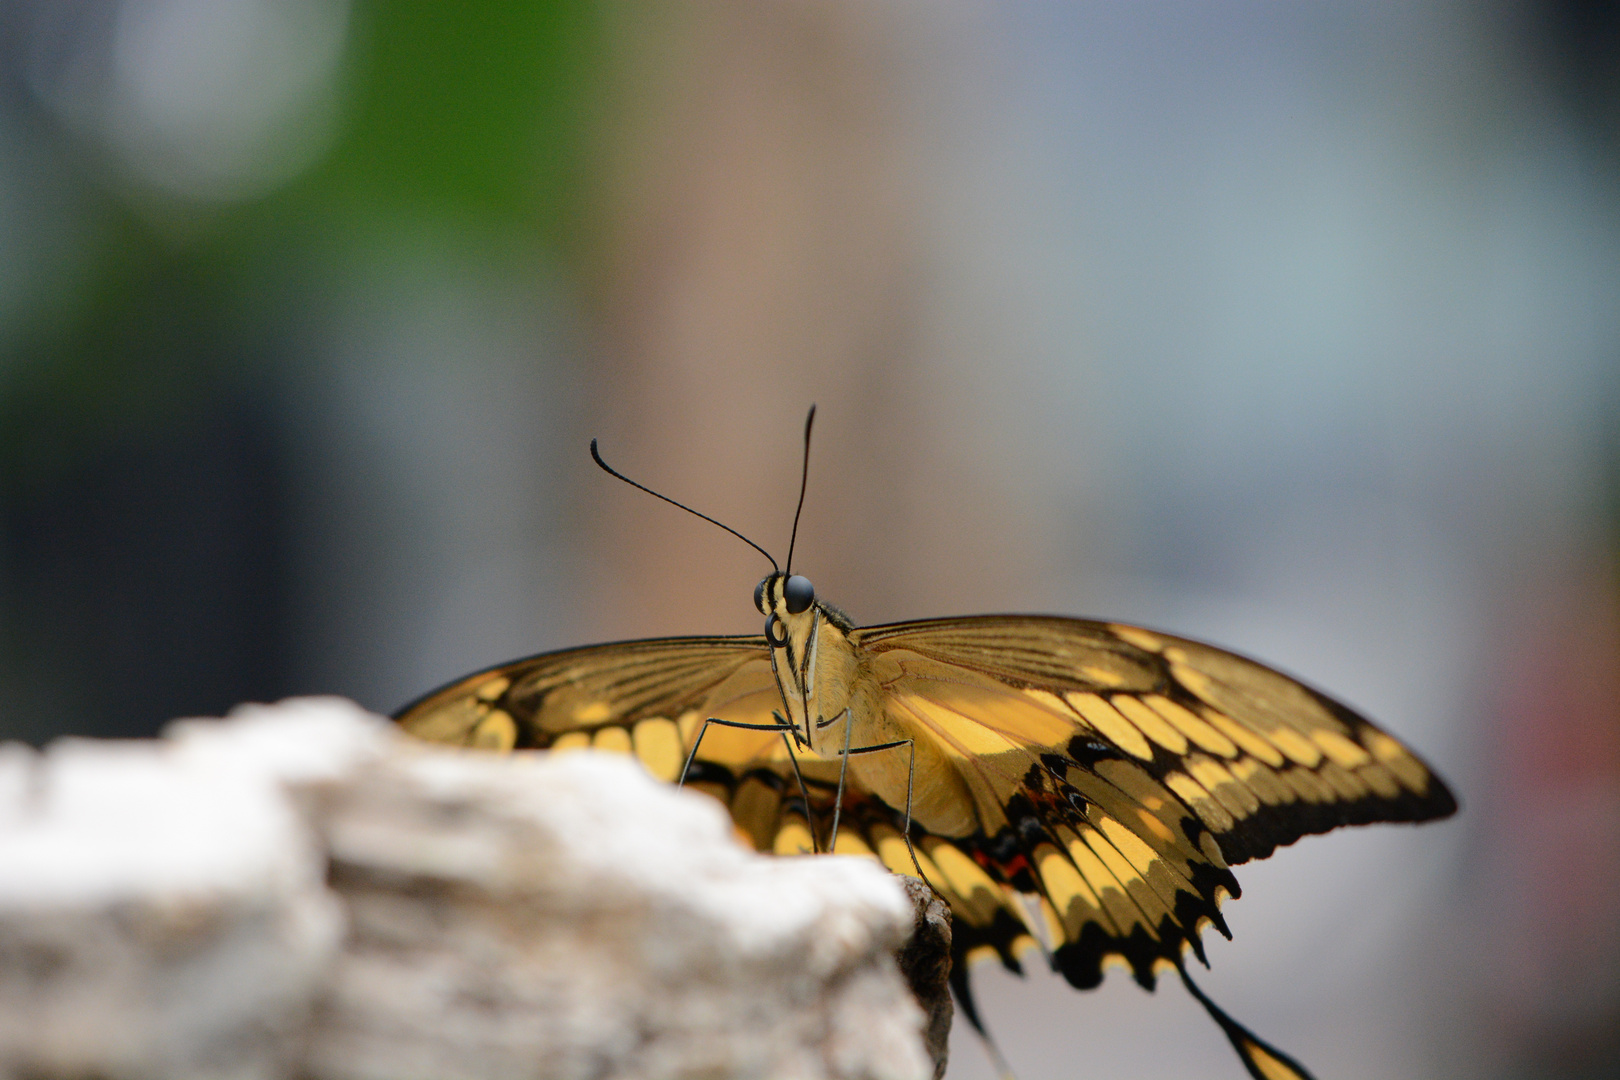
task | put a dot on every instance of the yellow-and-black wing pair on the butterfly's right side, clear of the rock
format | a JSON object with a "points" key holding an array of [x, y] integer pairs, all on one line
{"points": [[1119, 775]]}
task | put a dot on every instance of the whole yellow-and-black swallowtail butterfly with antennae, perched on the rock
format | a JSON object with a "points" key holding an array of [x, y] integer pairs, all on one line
{"points": [[1076, 791]]}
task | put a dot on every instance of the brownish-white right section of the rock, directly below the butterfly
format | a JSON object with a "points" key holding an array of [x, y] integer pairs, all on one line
{"points": [[571, 917]]}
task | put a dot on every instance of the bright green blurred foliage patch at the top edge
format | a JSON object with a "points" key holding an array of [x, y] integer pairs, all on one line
{"points": [[475, 111]]}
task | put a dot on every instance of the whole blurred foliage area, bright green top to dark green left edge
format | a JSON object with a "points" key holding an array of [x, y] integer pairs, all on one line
{"points": [[464, 119]]}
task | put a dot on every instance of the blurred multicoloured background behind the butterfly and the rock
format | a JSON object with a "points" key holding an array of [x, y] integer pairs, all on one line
{"points": [[1295, 328]]}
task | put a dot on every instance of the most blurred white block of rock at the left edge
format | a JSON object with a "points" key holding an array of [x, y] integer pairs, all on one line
{"points": [[158, 917]]}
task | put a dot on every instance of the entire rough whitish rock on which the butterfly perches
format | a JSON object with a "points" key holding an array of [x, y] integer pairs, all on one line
{"points": [[301, 891]]}
